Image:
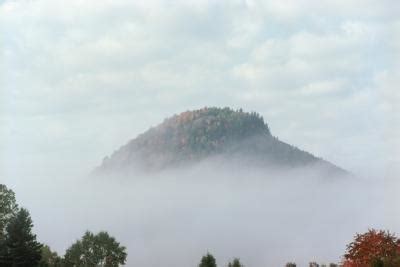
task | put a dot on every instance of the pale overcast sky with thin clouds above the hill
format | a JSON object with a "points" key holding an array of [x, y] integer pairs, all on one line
{"points": [[78, 79]]}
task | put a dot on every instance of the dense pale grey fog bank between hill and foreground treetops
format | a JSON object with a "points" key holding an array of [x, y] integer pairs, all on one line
{"points": [[172, 218]]}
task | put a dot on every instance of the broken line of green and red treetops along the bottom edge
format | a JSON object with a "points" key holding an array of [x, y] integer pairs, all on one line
{"points": [[19, 246]]}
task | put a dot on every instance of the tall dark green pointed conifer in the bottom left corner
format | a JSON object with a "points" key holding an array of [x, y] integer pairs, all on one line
{"points": [[22, 247]]}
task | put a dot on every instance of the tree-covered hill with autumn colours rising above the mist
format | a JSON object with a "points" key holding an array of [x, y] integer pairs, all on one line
{"points": [[196, 135]]}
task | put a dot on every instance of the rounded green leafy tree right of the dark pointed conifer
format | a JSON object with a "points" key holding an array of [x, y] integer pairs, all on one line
{"points": [[96, 250]]}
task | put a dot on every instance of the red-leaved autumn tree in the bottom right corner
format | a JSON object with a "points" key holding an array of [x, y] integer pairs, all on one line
{"points": [[372, 248]]}
